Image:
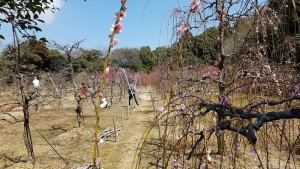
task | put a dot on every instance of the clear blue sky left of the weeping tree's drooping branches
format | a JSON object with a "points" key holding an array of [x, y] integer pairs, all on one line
{"points": [[146, 23]]}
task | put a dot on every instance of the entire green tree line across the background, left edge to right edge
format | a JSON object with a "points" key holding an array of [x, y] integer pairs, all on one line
{"points": [[200, 48]]}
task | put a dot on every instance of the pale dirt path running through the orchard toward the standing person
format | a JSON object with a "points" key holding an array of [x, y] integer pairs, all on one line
{"points": [[124, 149]]}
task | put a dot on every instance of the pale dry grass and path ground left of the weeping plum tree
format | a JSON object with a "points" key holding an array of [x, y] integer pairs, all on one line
{"points": [[58, 125]]}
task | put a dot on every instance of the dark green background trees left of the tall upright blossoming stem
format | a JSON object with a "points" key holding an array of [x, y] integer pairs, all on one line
{"points": [[36, 56]]}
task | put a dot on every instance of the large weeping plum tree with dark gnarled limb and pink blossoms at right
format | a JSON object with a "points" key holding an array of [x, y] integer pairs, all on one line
{"points": [[239, 104]]}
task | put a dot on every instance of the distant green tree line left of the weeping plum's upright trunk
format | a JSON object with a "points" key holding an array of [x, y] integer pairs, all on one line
{"points": [[37, 56]]}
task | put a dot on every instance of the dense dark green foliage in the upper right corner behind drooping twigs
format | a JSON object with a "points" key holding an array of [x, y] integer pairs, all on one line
{"points": [[281, 41]]}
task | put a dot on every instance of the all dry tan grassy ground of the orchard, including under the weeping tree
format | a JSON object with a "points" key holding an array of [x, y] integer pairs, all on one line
{"points": [[58, 125]]}
